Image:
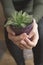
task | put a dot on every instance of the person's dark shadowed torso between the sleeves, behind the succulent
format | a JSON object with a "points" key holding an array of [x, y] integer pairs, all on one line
{"points": [[26, 5]]}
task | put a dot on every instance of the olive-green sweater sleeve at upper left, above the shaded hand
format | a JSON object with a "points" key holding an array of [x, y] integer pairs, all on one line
{"points": [[8, 7]]}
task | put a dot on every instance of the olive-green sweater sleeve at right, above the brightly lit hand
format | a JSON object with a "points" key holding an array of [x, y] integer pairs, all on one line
{"points": [[38, 9]]}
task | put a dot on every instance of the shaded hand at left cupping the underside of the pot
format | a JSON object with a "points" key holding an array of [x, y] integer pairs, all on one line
{"points": [[16, 39]]}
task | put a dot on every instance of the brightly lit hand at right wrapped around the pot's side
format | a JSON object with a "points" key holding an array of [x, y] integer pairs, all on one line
{"points": [[28, 44]]}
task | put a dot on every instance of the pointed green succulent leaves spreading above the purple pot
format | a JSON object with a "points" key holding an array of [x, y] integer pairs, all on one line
{"points": [[19, 19]]}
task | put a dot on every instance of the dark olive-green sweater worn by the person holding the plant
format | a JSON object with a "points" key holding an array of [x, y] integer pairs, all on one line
{"points": [[34, 6]]}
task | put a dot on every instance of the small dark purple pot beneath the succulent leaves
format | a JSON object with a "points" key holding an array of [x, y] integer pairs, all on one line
{"points": [[19, 31]]}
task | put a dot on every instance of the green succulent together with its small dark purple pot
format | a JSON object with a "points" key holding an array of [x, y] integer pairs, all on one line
{"points": [[20, 22]]}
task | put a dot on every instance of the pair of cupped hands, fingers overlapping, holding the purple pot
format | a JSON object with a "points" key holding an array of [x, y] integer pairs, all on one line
{"points": [[23, 41]]}
